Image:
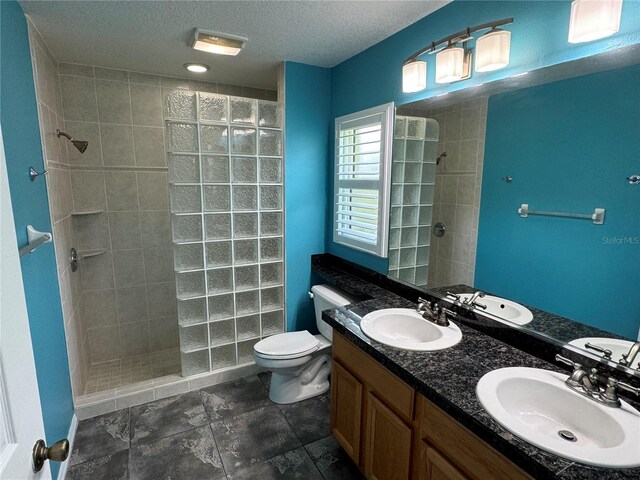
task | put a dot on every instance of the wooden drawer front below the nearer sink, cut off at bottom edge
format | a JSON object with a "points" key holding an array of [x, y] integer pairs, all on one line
{"points": [[473, 457]]}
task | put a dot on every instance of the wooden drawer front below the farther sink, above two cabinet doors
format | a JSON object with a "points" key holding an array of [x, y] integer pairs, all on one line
{"points": [[394, 392]]}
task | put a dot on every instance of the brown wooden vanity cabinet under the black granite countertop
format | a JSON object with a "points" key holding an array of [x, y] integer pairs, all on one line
{"points": [[393, 433]]}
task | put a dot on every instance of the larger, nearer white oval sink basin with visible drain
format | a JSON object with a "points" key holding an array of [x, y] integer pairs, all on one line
{"points": [[536, 405]]}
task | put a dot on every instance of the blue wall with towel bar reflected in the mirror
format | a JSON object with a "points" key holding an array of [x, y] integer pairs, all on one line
{"points": [[577, 140]]}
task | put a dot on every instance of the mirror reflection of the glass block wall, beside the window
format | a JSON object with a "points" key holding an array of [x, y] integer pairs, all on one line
{"points": [[413, 176]]}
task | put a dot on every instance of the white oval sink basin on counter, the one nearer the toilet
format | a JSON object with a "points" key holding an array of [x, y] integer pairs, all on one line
{"points": [[405, 328]]}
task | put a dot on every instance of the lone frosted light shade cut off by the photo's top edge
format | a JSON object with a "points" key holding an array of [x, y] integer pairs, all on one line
{"points": [[594, 19]]}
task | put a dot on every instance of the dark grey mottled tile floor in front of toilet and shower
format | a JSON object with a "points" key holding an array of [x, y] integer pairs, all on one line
{"points": [[230, 431]]}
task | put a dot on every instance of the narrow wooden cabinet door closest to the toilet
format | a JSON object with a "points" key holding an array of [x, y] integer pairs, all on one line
{"points": [[346, 410]]}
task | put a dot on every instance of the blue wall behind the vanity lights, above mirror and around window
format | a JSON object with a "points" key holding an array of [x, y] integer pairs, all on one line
{"points": [[539, 38]]}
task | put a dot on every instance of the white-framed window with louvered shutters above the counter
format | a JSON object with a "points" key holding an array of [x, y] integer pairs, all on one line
{"points": [[362, 171]]}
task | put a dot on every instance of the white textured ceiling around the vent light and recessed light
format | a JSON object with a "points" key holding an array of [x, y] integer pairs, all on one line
{"points": [[153, 36]]}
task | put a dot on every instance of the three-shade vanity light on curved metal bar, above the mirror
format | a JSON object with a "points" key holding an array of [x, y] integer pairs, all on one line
{"points": [[453, 58]]}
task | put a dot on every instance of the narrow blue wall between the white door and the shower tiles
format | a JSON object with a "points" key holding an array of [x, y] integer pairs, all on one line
{"points": [[19, 119]]}
